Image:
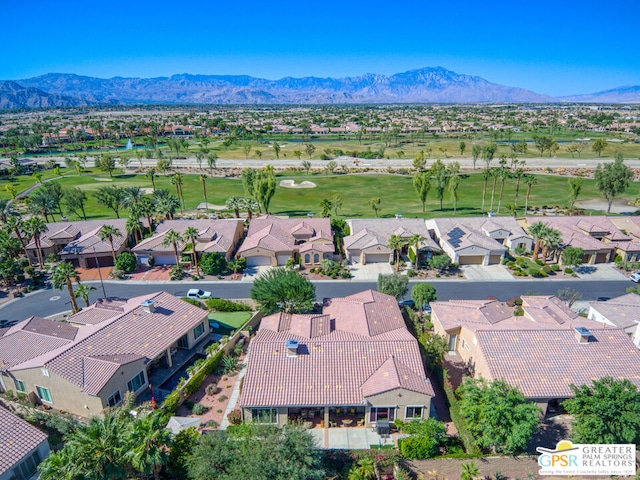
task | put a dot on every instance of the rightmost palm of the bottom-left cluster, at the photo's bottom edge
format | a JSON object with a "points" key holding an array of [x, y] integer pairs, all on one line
{"points": [[148, 439]]}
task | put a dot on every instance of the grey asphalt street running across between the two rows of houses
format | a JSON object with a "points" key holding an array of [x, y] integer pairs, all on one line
{"points": [[49, 302]]}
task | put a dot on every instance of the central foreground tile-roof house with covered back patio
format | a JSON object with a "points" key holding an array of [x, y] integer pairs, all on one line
{"points": [[356, 356]]}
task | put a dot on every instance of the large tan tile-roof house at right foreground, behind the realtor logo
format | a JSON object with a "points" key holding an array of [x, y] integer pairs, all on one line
{"points": [[542, 352]]}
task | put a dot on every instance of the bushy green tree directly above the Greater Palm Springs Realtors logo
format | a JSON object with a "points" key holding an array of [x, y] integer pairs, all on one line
{"points": [[607, 411]]}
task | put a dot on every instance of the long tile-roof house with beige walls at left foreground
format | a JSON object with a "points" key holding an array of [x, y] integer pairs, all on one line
{"points": [[105, 350]]}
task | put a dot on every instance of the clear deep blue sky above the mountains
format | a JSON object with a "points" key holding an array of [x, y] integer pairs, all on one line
{"points": [[554, 47]]}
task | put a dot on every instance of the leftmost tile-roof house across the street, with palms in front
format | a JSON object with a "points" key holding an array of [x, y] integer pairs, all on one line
{"points": [[79, 242]]}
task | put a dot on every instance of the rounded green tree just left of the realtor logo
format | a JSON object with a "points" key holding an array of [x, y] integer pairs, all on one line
{"points": [[497, 415]]}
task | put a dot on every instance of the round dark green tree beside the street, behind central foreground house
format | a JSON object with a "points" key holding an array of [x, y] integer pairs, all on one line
{"points": [[283, 290]]}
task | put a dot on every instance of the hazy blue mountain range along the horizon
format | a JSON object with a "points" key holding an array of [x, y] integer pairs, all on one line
{"points": [[426, 85]]}
